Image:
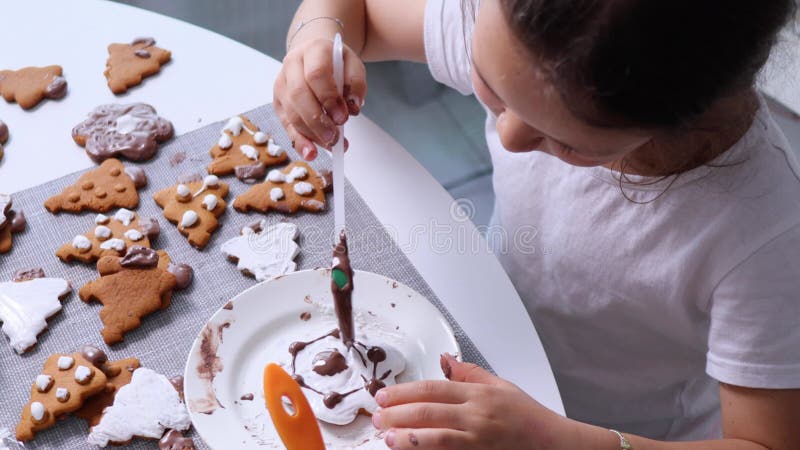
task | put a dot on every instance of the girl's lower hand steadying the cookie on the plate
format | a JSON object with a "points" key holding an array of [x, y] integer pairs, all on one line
{"points": [[474, 410]]}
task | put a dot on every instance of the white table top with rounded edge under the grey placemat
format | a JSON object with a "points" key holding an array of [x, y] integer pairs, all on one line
{"points": [[211, 78]]}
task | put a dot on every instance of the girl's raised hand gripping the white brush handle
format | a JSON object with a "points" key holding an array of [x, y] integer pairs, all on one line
{"points": [[306, 99]]}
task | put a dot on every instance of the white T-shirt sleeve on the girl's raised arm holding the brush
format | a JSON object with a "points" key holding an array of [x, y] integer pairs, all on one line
{"points": [[446, 44]]}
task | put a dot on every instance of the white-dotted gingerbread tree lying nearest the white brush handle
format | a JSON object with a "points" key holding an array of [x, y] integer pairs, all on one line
{"points": [[296, 186]]}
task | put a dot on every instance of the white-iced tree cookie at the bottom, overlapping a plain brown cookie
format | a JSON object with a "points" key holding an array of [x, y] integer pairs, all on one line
{"points": [[145, 408]]}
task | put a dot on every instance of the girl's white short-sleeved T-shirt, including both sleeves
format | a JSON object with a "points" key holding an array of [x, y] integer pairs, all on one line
{"points": [[642, 308]]}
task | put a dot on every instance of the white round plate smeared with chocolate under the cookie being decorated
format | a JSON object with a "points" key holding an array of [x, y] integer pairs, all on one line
{"points": [[257, 327]]}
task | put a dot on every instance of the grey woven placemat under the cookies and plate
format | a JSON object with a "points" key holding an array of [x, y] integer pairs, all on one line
{"points": [[164, 339]]}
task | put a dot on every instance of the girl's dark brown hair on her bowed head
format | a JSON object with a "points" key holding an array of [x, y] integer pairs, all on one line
{"points": [[647, 63]]}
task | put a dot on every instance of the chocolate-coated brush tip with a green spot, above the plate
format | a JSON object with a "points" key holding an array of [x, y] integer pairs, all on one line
{"points": [[342, 289]]}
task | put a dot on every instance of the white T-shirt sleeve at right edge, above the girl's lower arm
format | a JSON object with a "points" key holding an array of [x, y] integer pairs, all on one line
{"points": [[754, 338]]}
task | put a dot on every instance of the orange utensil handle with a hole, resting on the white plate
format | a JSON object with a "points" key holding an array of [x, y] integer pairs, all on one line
{"points": [[298, 431]]}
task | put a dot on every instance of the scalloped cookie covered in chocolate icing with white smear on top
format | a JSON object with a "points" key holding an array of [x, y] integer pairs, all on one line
{"points": [[132, 131]]}
